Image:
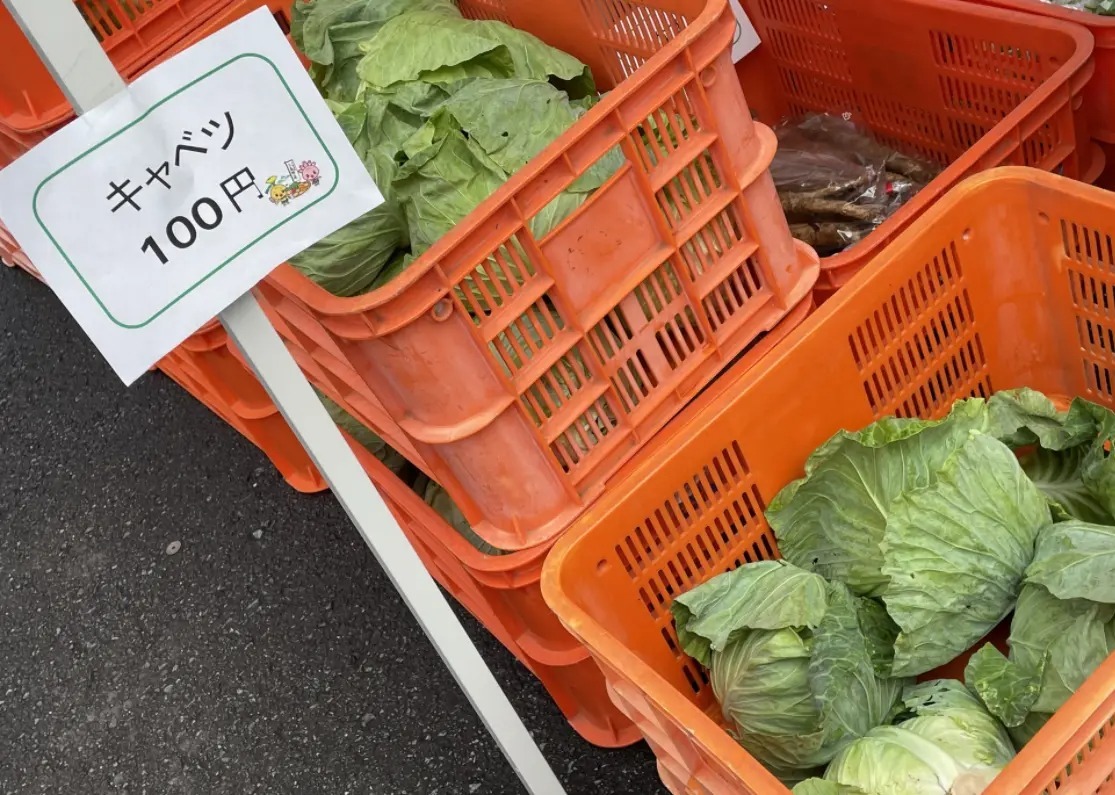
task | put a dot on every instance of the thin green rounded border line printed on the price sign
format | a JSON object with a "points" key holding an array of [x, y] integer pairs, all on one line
{"points": [[35, 200]]}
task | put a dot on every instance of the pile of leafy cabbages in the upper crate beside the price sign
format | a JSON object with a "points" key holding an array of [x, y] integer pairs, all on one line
{"points": [[443, 111]]}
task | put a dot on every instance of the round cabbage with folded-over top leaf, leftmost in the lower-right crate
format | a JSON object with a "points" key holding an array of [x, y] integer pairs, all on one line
{"points": [[799, 665]]}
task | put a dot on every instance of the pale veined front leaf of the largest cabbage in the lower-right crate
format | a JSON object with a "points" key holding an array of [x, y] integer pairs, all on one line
{"points": [[955, 554]]}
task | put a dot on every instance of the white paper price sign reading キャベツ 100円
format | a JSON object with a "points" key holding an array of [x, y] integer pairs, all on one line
{"points": [[153, 212]]}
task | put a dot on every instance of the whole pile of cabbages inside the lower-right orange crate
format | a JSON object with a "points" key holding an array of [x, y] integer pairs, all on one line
{"points": [[904, 547]]}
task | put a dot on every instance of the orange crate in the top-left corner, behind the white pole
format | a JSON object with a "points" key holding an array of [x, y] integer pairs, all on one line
{"points": [[135, 34]]}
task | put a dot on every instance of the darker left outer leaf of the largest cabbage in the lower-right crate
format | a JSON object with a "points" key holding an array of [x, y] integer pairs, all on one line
{"points": [[833, 520]]}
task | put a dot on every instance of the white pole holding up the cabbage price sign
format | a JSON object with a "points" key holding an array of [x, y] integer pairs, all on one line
{"points": [[88, 77]]}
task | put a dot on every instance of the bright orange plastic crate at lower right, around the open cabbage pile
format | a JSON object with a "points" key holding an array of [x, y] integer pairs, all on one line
{"points": [[1006, 283]]}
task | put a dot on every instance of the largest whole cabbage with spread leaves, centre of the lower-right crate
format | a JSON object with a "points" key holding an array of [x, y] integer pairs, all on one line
{"points": [[936, 518]]}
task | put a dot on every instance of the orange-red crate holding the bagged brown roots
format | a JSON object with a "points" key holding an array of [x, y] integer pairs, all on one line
{"points": [[962, 85]]}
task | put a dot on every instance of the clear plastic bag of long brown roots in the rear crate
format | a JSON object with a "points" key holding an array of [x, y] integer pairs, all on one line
{"points": [[837, 183]]}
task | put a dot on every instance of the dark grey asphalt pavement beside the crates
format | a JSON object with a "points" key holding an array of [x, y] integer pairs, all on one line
{"points": [[285, 664]]}
